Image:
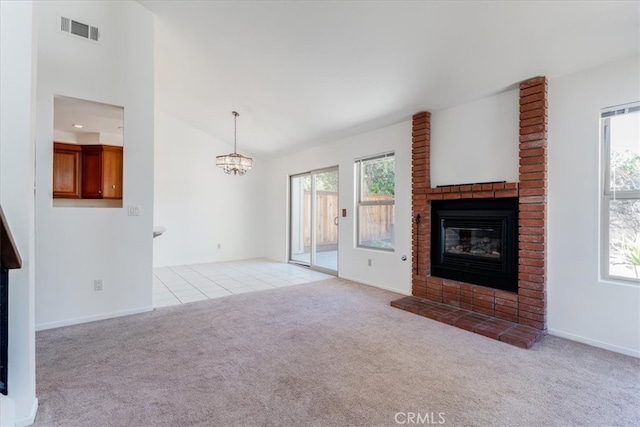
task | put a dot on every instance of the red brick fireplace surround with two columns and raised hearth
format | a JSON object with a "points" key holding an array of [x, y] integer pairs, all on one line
{"points": [[515, 318]]}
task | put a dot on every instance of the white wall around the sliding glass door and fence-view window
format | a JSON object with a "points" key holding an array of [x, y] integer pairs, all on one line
{"points": [[388, 270]]}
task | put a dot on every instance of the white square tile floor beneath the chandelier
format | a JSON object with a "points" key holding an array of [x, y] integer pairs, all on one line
{"points": [[188, 283]]}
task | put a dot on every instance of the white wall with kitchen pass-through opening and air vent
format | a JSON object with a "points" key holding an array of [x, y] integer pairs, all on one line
{"points": [[77, 245]]}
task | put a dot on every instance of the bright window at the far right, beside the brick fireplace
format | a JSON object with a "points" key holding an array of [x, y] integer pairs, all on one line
{"points": [[620, 128]]}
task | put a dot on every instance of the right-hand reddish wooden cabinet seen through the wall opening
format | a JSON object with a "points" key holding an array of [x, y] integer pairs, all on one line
{"points": [[101, 172]]}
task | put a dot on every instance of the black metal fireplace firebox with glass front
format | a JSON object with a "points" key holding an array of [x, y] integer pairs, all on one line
{"points": [[476, 241]]}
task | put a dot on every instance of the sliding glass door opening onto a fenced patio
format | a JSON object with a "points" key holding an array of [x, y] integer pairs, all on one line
{"points": [[314, 220]]}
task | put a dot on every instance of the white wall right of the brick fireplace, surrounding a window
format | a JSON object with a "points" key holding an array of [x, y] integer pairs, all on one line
{"points": [[581, 306]]}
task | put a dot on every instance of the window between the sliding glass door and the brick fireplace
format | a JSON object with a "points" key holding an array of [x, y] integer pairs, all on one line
{"points": [[376, 201]]}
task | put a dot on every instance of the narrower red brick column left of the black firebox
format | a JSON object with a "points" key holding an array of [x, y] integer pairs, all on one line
{"points": [[420, 182]]}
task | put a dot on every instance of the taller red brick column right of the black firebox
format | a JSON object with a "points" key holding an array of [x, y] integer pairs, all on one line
{"points": [[532, 301]]}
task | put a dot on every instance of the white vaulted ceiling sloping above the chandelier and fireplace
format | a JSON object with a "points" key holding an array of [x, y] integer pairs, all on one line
{"points": [[308, 72]]}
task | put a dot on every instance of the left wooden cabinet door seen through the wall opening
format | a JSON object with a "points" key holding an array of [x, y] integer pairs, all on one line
{"points": [[66, 170]]}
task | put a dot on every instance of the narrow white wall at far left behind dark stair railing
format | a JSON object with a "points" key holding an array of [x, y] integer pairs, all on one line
{"points": [[17, 100]]}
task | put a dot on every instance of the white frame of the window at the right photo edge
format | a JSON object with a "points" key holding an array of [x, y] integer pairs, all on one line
{"points": [[608, 194]]}
